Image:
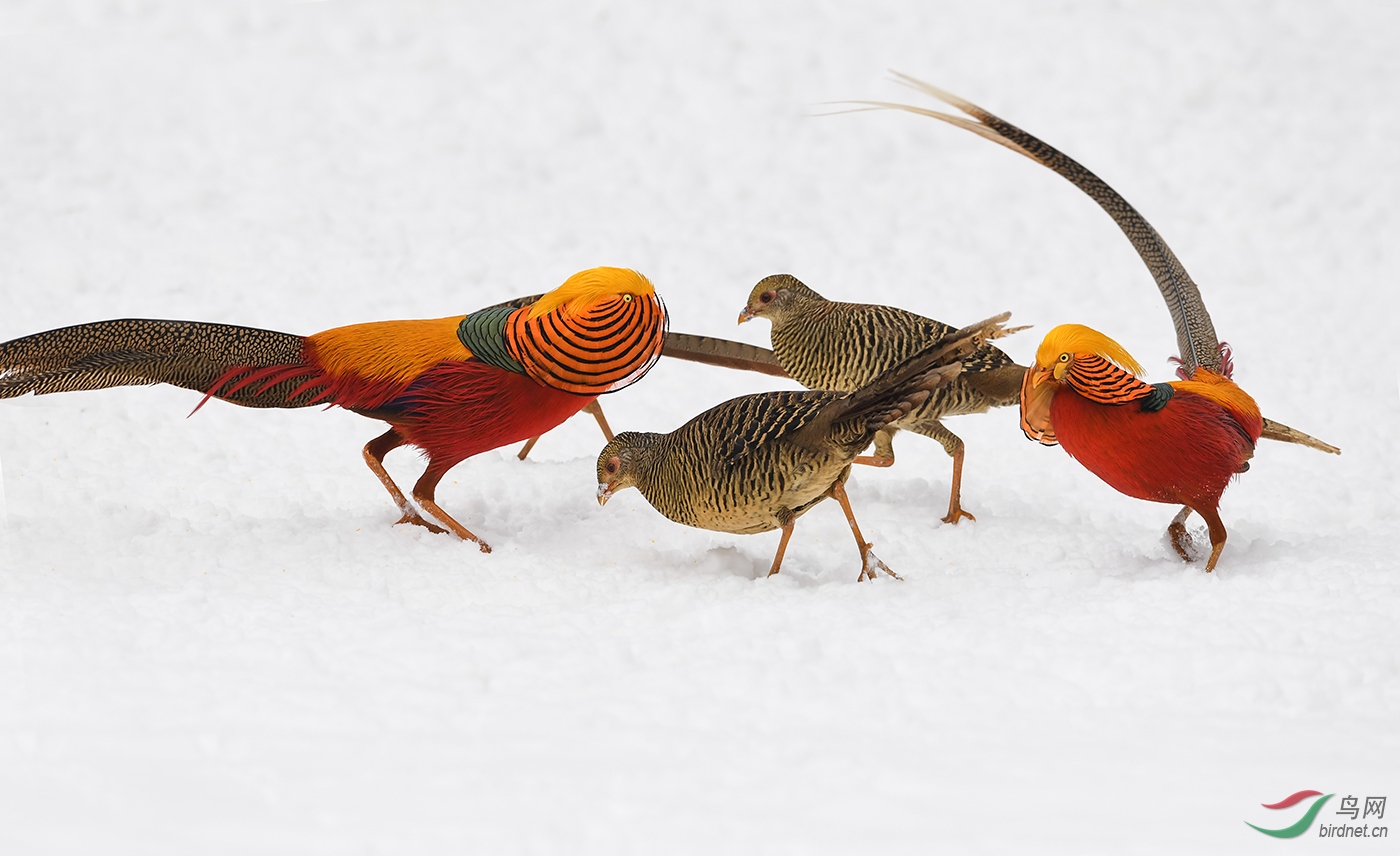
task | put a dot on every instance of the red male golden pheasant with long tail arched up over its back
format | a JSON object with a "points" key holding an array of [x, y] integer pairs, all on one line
{"points": [[1177, 443]]}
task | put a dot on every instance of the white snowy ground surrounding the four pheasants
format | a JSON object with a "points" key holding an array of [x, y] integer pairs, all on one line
{"points": [[212, 641]]}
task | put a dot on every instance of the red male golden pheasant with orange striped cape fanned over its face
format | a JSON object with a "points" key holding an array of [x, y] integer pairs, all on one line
{"points": [[453, 387]]}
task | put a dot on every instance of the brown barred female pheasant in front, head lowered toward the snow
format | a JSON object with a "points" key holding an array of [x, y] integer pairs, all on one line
{"points": [[758, 463]]}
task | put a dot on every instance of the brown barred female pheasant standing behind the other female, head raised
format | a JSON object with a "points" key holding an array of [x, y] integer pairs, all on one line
{"points": [[829, 345]]}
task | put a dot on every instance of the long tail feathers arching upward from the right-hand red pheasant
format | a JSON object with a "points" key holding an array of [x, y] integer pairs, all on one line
{"points": [[1195, 333]]}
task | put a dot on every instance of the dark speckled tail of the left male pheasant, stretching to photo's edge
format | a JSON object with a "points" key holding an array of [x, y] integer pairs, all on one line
{"points": [[247, 366]]}
